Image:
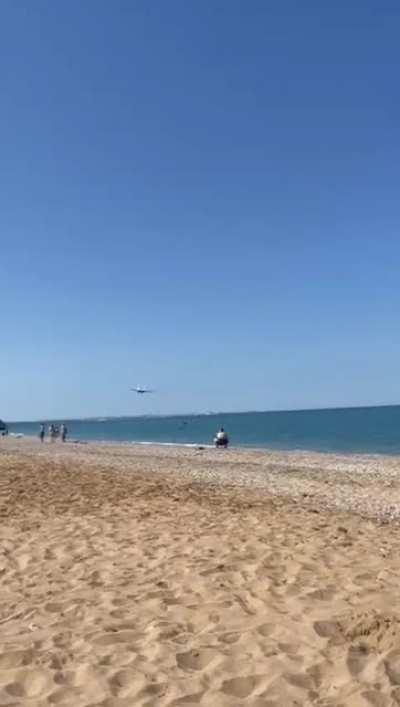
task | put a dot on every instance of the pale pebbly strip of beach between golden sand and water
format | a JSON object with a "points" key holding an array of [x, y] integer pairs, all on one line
{"points": [[368, 485]]}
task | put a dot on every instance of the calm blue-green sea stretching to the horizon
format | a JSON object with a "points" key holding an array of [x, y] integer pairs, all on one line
{"points": [[361, 430]]}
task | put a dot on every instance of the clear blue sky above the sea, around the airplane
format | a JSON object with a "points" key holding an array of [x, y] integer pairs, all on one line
{"points": [[202, 197]]}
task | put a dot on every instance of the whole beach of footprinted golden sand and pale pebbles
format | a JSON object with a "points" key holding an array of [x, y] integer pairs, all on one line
{"points": [[158, 576]]}
